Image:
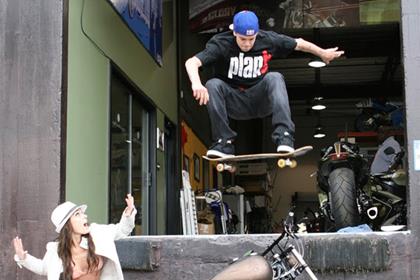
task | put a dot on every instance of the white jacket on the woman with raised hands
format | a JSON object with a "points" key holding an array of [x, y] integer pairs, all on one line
{"points": [[103, 237]]}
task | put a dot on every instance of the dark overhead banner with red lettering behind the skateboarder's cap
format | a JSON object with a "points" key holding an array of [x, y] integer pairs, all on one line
{"points": [[275, 14]]}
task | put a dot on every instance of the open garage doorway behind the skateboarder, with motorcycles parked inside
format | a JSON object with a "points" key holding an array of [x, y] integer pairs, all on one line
{"points": [[350, 181]]}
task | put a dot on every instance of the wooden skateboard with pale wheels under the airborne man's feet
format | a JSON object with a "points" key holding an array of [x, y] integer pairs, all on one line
{"points": [[283, 159]]}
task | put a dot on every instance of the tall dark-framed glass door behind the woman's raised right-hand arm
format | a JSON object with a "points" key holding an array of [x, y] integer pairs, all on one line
{"points": [[129, 148]]}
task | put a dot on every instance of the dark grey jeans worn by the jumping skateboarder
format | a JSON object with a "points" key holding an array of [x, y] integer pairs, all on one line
{"points": [[269, 96]]}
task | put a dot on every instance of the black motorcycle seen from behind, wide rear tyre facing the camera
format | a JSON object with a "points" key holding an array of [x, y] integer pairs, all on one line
{"points": [[342, 173]]}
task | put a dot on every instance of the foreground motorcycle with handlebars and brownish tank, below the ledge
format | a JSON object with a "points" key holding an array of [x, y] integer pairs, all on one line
{"points": [[282, 260]]}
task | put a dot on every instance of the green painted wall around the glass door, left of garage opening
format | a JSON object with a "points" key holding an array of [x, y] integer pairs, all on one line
{"points": [[97, 36]]}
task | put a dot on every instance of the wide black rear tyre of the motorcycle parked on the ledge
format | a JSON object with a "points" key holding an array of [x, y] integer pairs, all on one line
{"points": [[343, 198]]}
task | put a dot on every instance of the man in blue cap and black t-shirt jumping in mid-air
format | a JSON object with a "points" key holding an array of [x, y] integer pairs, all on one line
{"points": [[243, 88]]}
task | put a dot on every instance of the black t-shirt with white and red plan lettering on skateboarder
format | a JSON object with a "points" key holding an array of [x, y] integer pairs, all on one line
{"points": [[244, 69]]}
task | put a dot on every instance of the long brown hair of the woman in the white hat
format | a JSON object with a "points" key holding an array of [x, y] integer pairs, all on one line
{"points": [[65, 242]]}
